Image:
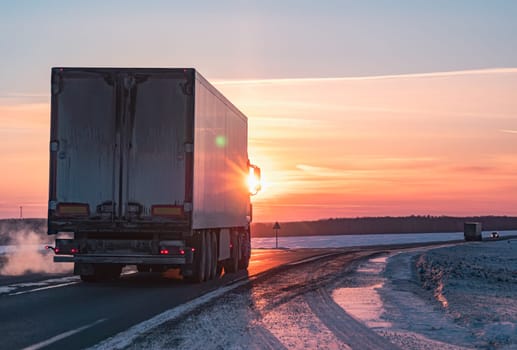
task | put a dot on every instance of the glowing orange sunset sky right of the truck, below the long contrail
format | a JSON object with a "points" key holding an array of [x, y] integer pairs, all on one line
{"points": [[388, 145]]}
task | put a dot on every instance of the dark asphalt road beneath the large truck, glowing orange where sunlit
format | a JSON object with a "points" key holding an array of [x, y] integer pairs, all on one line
{"points": [[60, 312]]}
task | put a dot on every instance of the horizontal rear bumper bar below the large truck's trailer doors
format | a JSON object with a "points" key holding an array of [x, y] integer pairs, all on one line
{"points": [[125, 259]]}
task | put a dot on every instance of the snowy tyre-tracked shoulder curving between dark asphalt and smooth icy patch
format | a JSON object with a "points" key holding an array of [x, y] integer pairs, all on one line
{"points": [[291, 309]]}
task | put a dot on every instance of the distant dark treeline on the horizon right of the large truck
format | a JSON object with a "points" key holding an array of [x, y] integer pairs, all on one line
{"points": [[372, 225]]}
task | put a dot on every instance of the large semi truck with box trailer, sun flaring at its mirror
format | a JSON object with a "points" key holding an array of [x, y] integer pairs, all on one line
{"points": [[148, 167]]}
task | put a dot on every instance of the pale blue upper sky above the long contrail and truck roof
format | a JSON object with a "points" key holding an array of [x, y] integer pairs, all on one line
{"points": [[261, 39]]}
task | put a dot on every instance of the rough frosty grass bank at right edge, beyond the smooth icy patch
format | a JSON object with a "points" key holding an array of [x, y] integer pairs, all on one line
{"points": [[476, 286]]}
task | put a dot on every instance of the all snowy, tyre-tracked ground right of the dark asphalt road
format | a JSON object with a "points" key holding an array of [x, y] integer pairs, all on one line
{"points": [[456, 297]]}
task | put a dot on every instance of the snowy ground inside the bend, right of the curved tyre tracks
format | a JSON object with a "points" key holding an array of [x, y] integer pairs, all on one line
{"points": [[456, 297]]}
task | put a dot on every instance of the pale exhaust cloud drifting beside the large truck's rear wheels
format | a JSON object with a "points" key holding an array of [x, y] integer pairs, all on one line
{"points": [[25, 253]]}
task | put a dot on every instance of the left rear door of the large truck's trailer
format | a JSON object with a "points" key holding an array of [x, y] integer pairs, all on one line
{"points": [[85, 150]]}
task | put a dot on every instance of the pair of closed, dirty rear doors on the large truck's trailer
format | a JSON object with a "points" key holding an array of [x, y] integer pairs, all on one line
{"points": [[118, 144]]}
